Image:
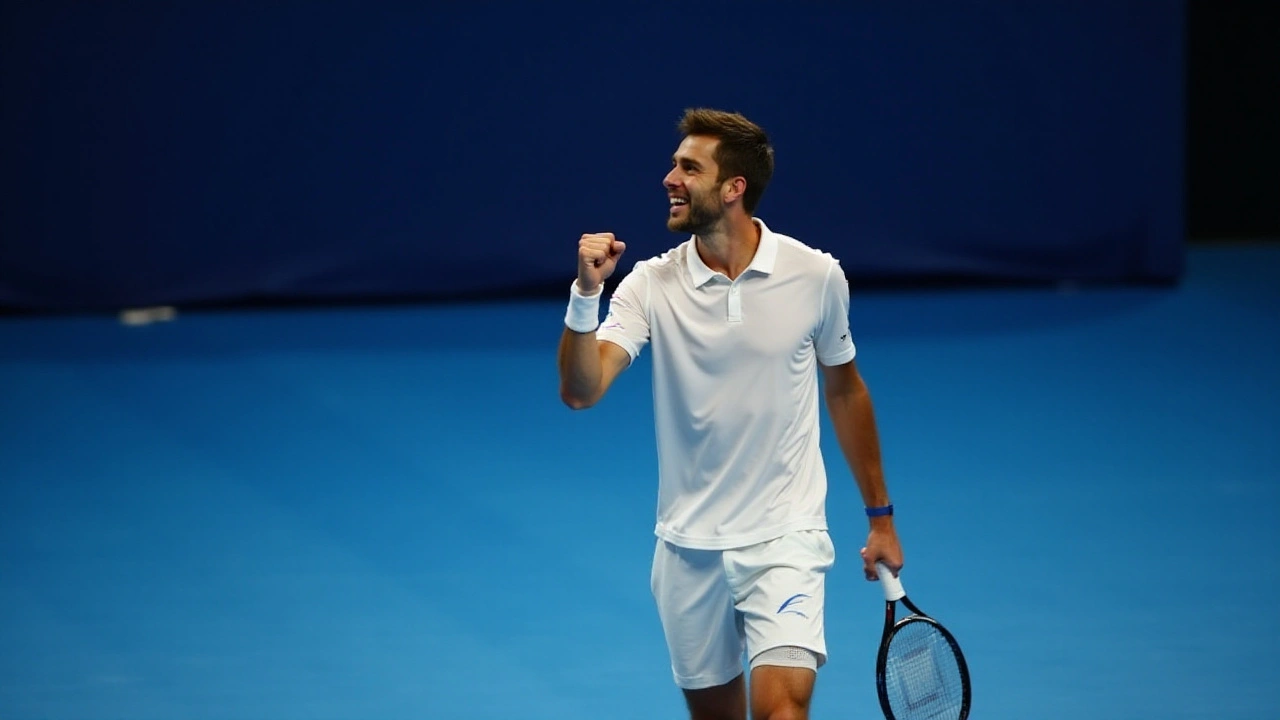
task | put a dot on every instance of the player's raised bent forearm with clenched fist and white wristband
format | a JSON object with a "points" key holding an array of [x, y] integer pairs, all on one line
{"points": [[587, 364]]}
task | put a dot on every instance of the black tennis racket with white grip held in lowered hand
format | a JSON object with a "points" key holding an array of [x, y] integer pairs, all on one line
{"points": [[921, 673]]}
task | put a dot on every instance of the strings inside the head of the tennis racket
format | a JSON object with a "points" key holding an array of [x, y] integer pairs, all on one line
{"points": [[922, 676]]}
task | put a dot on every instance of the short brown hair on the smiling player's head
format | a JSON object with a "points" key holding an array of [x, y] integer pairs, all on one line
{"points": [[743, 151]]}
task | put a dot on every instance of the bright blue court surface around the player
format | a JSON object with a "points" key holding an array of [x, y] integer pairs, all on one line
{"points": [[387, 514]]}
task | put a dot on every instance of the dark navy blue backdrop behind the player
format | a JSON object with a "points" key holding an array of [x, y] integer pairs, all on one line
{"points": [[207, 152]]}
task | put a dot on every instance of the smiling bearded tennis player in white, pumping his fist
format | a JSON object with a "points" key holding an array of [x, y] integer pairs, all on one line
{"points": [[739, 320]]}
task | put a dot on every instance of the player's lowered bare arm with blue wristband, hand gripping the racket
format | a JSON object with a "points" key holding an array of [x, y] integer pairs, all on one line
{"points": [[849, 404]]}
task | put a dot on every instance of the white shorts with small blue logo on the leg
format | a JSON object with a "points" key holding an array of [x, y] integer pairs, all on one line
{"points": [[720, 608]]}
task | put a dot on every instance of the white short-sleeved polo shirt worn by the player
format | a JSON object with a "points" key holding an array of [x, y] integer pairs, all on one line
{"points": [[735, 386]]}
